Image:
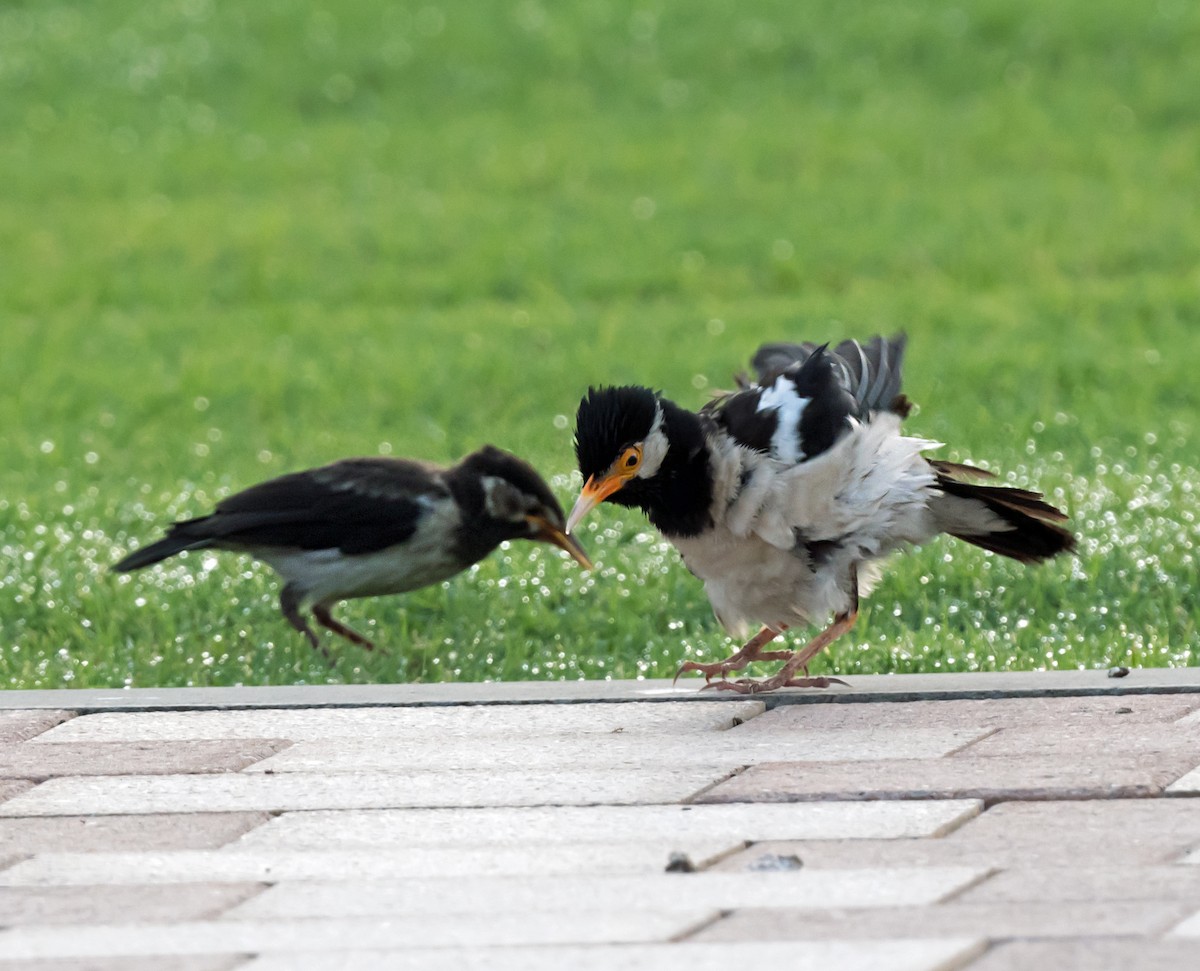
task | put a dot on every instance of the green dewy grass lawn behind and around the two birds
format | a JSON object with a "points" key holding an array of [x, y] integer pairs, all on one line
{"points": [[241, 239]]}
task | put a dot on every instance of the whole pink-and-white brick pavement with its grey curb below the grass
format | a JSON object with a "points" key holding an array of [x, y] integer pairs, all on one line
{"points": [[655, 829]]}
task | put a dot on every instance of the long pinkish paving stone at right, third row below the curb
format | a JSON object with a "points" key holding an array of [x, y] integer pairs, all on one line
{"points": [[994, 780]]}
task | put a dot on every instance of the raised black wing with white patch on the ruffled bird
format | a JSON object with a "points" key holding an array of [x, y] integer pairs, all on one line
{"points": [[807, 395]]}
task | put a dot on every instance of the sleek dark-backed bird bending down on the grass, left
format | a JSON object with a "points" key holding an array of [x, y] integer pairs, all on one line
{"points": [[368, 528]]}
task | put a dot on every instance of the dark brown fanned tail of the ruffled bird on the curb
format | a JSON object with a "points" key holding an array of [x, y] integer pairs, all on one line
{"points": [[1013, 523]]}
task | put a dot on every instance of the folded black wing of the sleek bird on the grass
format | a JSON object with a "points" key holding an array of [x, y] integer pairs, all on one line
{"points": [[357, 506]]}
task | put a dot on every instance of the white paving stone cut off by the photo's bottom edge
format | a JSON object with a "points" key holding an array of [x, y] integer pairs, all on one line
{"points": [[818, 956]]}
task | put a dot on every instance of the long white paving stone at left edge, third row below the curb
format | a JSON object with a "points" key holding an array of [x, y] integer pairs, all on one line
{"points": [[233, 793]]}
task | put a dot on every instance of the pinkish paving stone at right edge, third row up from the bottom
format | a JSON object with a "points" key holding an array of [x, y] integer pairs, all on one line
{"points": [[1087, 883]]}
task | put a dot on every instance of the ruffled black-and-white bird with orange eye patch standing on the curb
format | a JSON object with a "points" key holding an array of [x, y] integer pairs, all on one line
{"points": [[784, 496]]}
